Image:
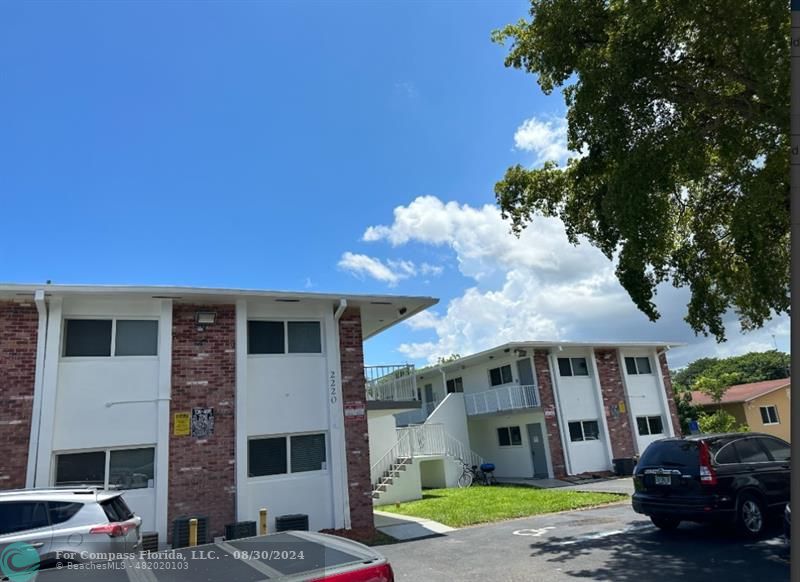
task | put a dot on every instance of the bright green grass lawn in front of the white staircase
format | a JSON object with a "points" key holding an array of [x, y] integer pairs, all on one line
{"points": [[459, 507]]}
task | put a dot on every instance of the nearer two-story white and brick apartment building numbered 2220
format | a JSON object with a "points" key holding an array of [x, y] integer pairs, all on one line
{"points": [[209, 402]]}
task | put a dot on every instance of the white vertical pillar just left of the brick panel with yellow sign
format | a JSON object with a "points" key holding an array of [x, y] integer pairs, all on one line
{"points": [[162, 418]]}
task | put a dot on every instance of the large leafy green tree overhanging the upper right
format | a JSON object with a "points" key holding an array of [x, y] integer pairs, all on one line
{"points": [[681, 111]]}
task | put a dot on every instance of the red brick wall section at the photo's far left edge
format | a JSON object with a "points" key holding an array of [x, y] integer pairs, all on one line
{"points": [[18, 333]]}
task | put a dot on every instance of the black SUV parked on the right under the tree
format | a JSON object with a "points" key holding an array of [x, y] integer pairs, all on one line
{"points": [[734, 477]]}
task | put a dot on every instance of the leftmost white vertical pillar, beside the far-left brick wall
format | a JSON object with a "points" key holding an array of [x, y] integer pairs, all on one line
{"points": [[44, 461]]}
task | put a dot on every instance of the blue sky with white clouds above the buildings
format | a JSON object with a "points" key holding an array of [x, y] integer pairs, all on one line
{"points": [[330, 146]]}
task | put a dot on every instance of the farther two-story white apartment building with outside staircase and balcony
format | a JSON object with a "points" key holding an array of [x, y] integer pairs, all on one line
{"points": [[534, 409]]}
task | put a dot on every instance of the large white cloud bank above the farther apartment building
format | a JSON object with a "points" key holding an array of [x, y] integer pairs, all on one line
{"points": [[537, 287]]}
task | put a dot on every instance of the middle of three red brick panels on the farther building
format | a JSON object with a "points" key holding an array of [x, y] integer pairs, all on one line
{"points": [[613, 394]]}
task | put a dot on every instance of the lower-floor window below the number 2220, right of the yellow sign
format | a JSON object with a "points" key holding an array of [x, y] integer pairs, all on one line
{"points": [[281, 455]]}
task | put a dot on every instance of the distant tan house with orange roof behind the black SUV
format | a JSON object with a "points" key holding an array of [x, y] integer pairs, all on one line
{"points": [[763, 406]]}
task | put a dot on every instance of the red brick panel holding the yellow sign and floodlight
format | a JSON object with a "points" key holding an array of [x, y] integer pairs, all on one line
{"points": [[202, 472]]}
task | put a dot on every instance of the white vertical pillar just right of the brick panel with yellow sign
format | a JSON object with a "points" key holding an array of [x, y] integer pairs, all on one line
{"points": [[242, 506]]}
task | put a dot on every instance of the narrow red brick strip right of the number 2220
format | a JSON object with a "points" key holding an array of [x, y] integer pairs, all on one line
{"points": [[356, 432]]}
